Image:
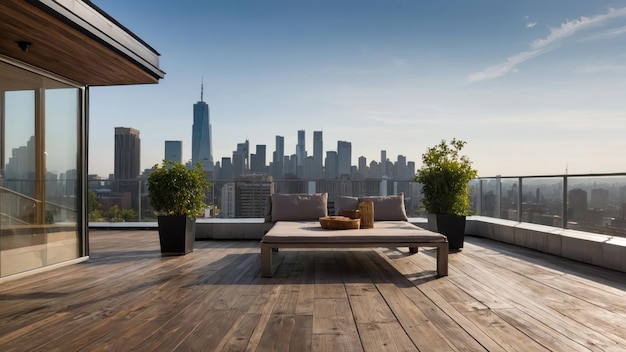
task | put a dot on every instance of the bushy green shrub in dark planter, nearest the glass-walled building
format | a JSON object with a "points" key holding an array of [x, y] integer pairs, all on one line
{"points": [[177, 195]]}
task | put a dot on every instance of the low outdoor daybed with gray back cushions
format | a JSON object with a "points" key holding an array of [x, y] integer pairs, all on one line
{"points": [[296, 225]]}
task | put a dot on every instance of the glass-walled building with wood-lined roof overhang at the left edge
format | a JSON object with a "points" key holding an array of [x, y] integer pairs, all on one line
{"points": [[52, 52]]}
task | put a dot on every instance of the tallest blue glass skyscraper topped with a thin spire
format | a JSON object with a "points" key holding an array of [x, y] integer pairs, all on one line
{"points": [[201, 139]]}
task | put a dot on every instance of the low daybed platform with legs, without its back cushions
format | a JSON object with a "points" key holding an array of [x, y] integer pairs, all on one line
{"points": [[309, 234]]}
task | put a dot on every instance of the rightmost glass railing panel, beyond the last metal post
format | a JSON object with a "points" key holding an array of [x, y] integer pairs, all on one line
{"points": [[597, 204]]}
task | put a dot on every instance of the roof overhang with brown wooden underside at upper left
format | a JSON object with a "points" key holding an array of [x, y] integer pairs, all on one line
{"points": [[77, 40]]}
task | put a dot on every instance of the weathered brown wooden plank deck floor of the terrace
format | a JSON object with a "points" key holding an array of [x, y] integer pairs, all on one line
{"points": [[497, 298]]}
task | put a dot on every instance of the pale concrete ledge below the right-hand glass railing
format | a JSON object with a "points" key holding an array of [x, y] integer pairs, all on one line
{"points": [[597, 249]]}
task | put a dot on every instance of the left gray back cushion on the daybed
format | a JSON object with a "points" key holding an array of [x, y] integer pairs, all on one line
{"points": [[299, 207]]}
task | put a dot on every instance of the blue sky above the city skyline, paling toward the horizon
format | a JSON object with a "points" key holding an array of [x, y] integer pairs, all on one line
{"points": [[533, 87]]}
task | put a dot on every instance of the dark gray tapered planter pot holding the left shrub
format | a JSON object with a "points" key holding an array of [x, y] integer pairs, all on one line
{"points": [[176, 234]]}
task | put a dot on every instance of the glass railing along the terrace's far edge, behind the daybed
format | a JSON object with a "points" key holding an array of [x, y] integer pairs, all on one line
{"points": [[128, 200]]}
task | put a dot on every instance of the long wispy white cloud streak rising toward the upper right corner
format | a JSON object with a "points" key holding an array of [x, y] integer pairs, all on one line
{"points": [[543, 45]]}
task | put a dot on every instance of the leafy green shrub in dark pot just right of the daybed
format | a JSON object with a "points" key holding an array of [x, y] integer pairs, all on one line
{"points": [[445, 176]]}
